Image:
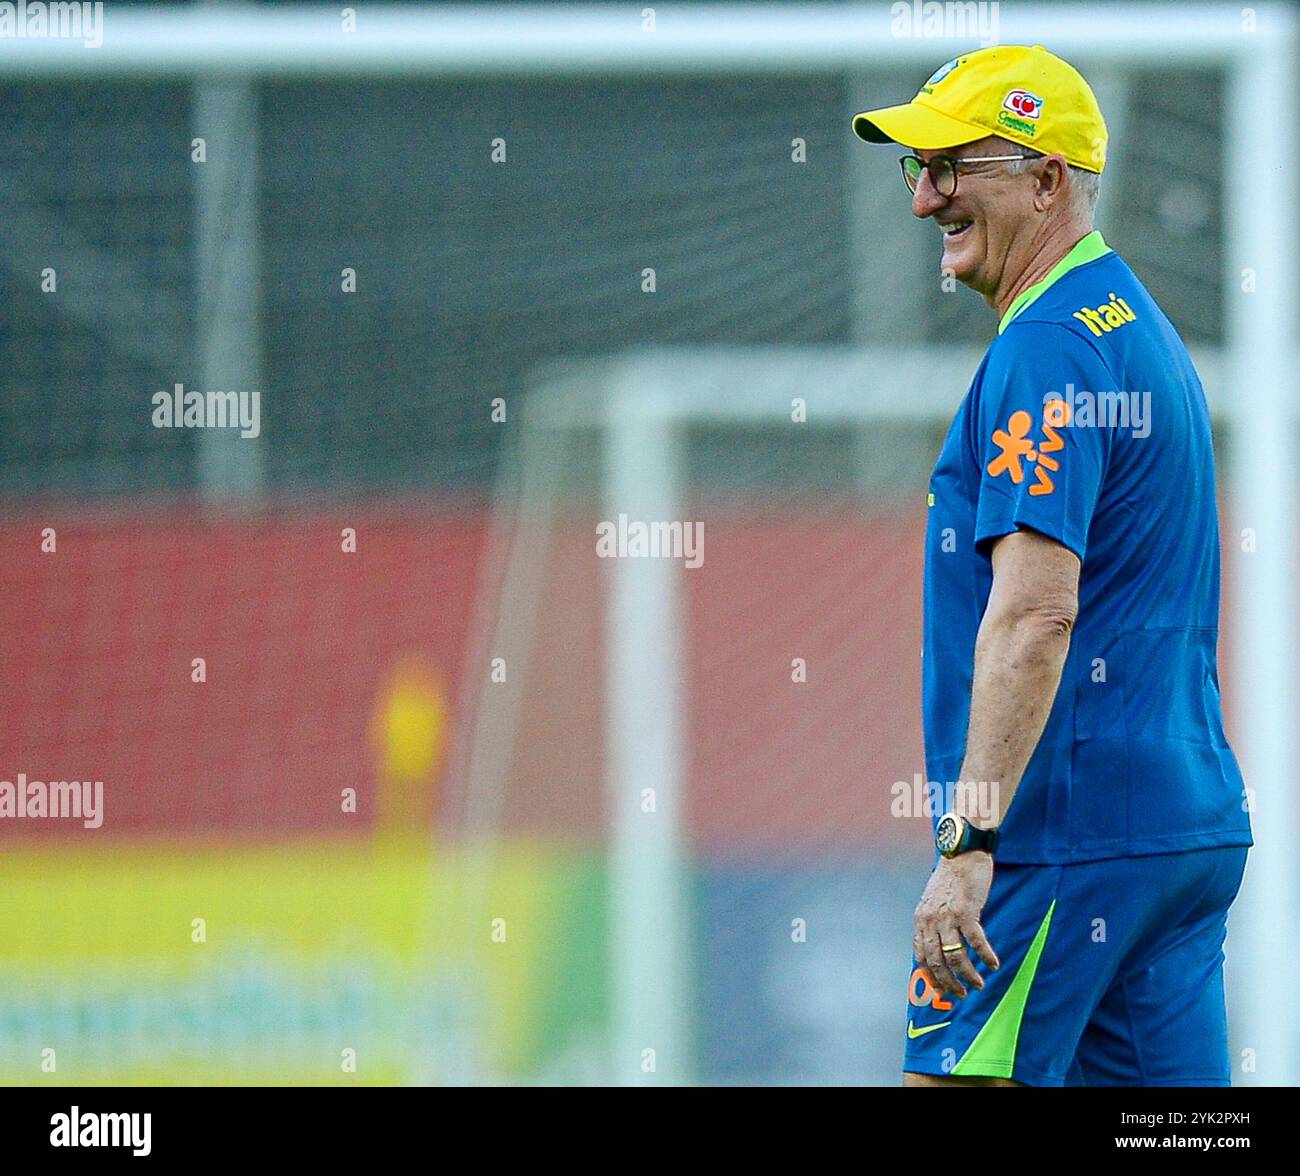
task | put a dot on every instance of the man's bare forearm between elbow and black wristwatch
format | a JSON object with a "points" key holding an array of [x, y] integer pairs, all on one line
{"points": [[1019, 663]]}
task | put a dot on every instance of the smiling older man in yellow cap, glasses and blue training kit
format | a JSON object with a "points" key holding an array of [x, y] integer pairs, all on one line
{"points": [[1071, 684]]}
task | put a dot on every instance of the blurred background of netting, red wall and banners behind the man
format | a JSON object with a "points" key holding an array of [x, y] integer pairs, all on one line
{"points": [[471, 410]]}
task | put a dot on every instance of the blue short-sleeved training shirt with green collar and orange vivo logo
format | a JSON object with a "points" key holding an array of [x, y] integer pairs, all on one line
{"points": [[1087, 423]]}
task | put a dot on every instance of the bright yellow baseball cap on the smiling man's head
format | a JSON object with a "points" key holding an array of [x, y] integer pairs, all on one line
{"points": [[1019, 93]]}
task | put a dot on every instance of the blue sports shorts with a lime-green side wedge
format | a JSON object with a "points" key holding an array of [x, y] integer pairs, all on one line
{"points": [[1112, 975]]}
